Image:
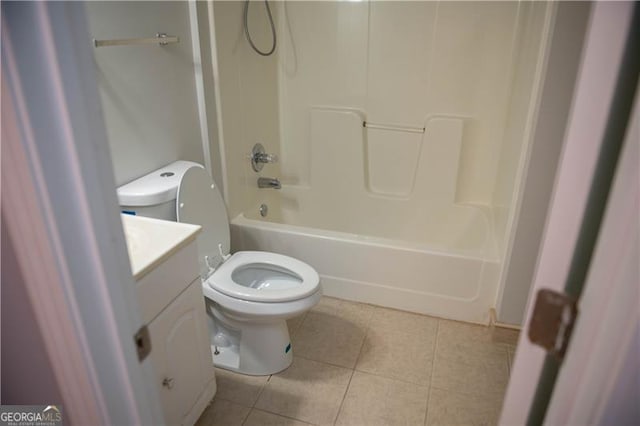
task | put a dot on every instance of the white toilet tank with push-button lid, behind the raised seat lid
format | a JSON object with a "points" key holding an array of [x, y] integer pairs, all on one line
{"points": [[154, 194]]}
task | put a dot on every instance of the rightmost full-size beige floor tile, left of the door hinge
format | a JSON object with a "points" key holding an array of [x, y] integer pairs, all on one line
{"points": [[471, 370]]}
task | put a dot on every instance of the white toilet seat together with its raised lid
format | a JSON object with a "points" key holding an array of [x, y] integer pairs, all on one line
{"points": [[249, 276]]}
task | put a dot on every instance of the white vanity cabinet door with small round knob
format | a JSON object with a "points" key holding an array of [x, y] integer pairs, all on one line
{"points": [[181, 354]]}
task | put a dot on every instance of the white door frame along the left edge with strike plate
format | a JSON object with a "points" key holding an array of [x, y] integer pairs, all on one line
{"points": [[60, 208]]}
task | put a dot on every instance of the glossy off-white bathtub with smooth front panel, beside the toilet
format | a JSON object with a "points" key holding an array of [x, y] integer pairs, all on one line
{"points": [[396, 274]]}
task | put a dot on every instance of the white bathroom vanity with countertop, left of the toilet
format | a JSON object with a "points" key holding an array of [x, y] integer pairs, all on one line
{"points": [[164, 262]]}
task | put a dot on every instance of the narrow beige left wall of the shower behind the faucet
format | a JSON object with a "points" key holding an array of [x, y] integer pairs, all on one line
{"points": [[249, 100]]}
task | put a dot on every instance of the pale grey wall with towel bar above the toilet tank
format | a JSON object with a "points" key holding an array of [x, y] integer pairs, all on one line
{"points": [[148, 92]]}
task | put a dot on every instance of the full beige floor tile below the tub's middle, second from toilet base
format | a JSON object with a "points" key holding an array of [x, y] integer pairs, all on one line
{"points": [[399, 345]]}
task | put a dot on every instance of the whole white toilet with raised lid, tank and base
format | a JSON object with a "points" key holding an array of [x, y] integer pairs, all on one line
{"points": [[249, 295]]}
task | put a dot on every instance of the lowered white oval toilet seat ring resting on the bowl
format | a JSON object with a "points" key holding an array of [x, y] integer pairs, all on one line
{"points": [[264, 277]]}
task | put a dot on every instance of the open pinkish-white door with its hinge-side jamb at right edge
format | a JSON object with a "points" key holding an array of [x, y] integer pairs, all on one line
{"points": [[583, 243]]}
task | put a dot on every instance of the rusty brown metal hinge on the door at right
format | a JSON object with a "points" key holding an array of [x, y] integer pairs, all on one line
{"points": [[554, 315]]}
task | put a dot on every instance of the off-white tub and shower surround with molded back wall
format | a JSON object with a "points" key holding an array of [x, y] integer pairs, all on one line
{"points": [[402, 130]]}
